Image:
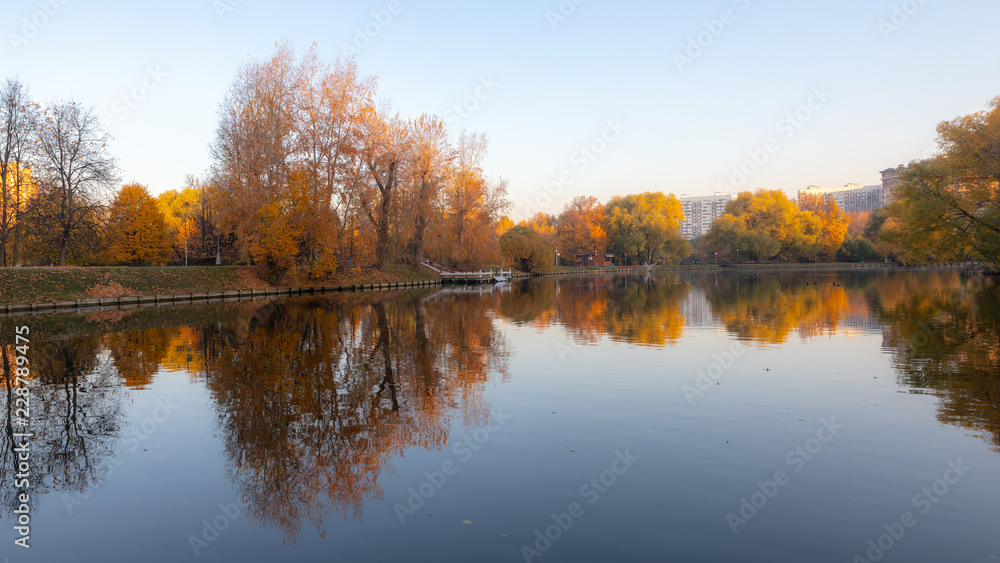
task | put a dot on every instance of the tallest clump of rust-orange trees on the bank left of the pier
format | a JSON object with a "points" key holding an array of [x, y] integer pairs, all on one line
{"points": [[310, 170]]}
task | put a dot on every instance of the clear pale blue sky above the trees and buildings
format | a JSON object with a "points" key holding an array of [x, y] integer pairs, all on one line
{"points": [[879, 75]]}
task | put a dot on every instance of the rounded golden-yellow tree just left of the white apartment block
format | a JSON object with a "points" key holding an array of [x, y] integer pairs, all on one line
{"points": [[646, 227]]}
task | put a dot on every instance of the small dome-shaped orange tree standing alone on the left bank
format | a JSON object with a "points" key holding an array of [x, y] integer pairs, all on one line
{"points": [[137, 229]]}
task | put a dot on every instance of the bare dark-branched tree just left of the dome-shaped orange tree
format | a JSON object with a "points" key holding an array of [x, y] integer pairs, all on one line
{"points": [[77, 170]]}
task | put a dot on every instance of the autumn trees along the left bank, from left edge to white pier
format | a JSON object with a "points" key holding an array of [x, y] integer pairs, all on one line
{"points": [[311, 171]]}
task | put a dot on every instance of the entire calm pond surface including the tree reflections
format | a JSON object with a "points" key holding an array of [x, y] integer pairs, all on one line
{"points": [[780, 418]]}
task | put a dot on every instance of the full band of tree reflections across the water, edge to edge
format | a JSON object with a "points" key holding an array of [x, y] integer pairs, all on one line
{"points": [[316, 396]]}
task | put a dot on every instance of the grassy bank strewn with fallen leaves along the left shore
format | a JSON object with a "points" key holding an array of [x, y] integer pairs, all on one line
{"points": [[43, 285]]}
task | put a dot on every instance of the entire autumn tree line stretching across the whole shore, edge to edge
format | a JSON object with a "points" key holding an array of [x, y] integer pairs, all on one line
{"points": [[313, 172]]}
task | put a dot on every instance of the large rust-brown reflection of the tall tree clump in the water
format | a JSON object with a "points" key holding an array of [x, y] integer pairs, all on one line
{"points": [[317, 396]]}
